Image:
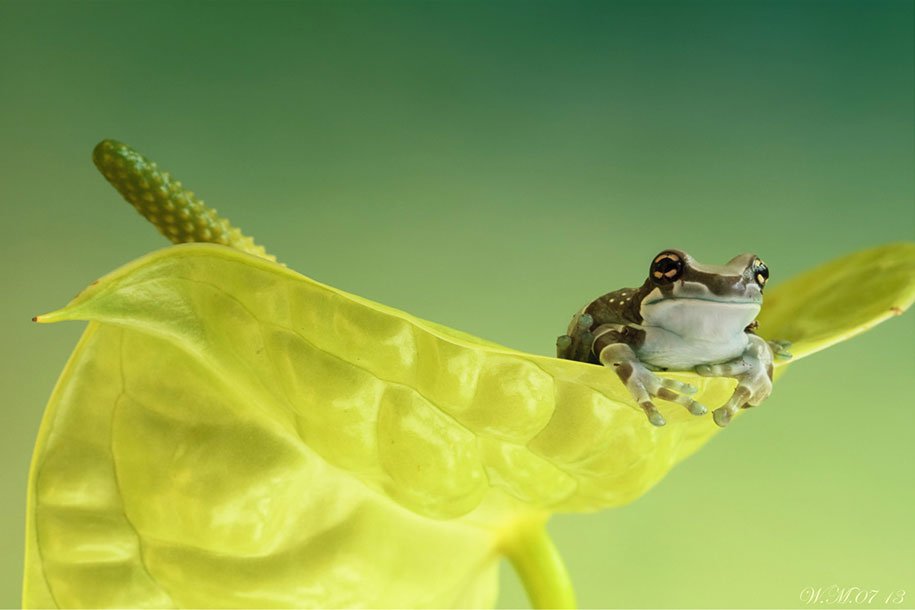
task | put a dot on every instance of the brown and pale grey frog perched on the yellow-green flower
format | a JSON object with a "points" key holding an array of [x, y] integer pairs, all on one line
{"points": [[686, 316]]}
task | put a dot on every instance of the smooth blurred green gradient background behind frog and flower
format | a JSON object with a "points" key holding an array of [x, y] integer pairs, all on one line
{"points": [[492, 167]]}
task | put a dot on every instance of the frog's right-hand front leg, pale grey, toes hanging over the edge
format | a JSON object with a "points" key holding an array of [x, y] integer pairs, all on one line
{"points": [[753, 372]]}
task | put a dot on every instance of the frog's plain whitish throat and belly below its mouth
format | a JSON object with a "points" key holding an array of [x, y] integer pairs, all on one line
{"points": [[683, 333]]}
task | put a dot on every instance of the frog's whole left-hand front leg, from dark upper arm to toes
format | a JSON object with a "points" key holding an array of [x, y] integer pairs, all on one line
{"points": [[613, 351]]}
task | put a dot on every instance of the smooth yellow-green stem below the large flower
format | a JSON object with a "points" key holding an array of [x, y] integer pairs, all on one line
{"points": [[539, 566]]}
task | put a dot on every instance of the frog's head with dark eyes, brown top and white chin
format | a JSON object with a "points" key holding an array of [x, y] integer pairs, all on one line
{"points": [[690, 298]]}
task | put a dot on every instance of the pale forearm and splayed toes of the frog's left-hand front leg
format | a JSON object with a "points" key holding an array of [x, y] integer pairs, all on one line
{"points": [[645, 385]]}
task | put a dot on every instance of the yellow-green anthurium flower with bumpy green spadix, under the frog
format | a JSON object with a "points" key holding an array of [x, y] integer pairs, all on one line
{"points": [[230, 433]]}
